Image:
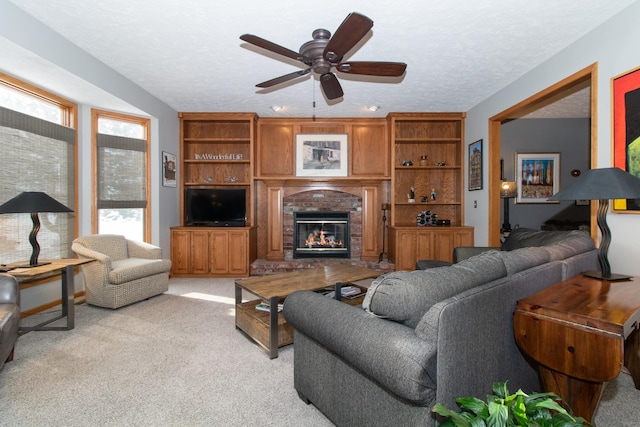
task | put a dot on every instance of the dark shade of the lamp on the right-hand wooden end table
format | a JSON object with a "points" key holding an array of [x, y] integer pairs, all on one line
{"points": [[601, 184]]}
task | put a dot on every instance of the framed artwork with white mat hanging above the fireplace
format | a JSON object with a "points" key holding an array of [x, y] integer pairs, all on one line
{"points": [[322, 155]]}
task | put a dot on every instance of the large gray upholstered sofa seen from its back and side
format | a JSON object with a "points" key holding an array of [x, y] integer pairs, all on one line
{"points": [[427, 336]]}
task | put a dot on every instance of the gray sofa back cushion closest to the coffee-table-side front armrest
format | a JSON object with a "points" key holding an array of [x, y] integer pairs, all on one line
{"points": [[404, 296]]}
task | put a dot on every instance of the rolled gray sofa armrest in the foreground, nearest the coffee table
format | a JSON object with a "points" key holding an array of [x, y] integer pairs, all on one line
{"points": [[387, 352]]}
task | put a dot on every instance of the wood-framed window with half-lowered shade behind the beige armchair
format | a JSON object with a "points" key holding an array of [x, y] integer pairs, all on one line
{"points": [[121, 189]]}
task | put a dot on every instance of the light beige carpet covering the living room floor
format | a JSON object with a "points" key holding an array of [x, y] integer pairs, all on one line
{"points": [[176, 360]]}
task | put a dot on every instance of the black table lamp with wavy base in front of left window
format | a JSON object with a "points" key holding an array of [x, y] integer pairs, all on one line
{"points": [[33, 202]]}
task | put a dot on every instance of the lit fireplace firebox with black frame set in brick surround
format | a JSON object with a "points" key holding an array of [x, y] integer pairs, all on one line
{"points": [[321, 235]]}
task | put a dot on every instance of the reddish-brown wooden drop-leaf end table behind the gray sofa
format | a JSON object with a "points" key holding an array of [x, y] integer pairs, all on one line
{"points": [[580, 332]]}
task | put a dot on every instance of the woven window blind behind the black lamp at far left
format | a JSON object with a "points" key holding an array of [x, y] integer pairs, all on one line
{"points": [[37, 155]]}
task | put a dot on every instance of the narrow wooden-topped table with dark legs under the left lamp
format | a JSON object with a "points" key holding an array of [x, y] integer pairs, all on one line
{"points": [[64, 267]]}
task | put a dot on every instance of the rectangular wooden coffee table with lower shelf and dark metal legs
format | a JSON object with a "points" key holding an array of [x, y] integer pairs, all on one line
{"points": [[269, 329]]}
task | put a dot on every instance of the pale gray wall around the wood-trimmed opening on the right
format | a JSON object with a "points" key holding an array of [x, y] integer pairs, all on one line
{"points": [[614, 46]]}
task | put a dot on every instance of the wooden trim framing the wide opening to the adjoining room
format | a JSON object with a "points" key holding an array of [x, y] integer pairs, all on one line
{"points": [[586, 77]]}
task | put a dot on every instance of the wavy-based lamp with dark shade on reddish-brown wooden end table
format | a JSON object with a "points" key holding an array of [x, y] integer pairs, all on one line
{"points": [[602, 184]]}
